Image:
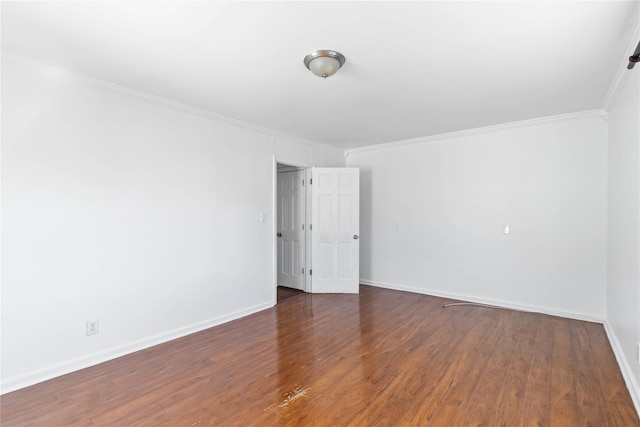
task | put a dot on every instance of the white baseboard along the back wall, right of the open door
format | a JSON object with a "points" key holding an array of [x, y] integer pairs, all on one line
{"points": [[503, 304]]}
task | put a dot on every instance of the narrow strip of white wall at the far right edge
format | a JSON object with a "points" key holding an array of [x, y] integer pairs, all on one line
{"points": [[623, 289]]}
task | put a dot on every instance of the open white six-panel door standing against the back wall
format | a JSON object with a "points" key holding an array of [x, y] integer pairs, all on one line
{"points": [[335, 229]]}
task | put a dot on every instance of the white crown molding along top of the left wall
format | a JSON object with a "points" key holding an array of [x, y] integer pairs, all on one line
{"points": [[166, 102]]}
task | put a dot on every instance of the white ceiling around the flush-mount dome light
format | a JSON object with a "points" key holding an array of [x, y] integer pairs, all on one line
{"points": [[413, 69]]}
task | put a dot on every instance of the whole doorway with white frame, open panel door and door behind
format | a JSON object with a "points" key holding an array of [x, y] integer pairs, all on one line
{"points": [[329, 244]]}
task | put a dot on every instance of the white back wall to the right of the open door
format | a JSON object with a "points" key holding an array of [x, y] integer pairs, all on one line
{"points": [[452, 197]]}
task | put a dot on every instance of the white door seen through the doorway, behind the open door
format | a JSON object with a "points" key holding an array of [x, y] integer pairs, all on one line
{"points": [[291, 237]]}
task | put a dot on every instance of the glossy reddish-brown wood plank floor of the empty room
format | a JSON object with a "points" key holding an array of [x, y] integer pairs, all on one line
{"points": [[381, 358]]}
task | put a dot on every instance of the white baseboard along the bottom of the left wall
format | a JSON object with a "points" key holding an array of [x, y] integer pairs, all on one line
{"points": [[53, 371]]}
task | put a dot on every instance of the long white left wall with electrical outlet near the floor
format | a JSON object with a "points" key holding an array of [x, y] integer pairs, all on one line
{"points": [[134, 212]]}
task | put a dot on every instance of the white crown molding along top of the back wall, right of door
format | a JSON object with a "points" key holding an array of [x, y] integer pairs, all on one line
{"points": [[479, 131]]}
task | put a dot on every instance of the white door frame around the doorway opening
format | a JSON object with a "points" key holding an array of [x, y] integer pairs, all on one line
{"points": [[274, 223]]}
